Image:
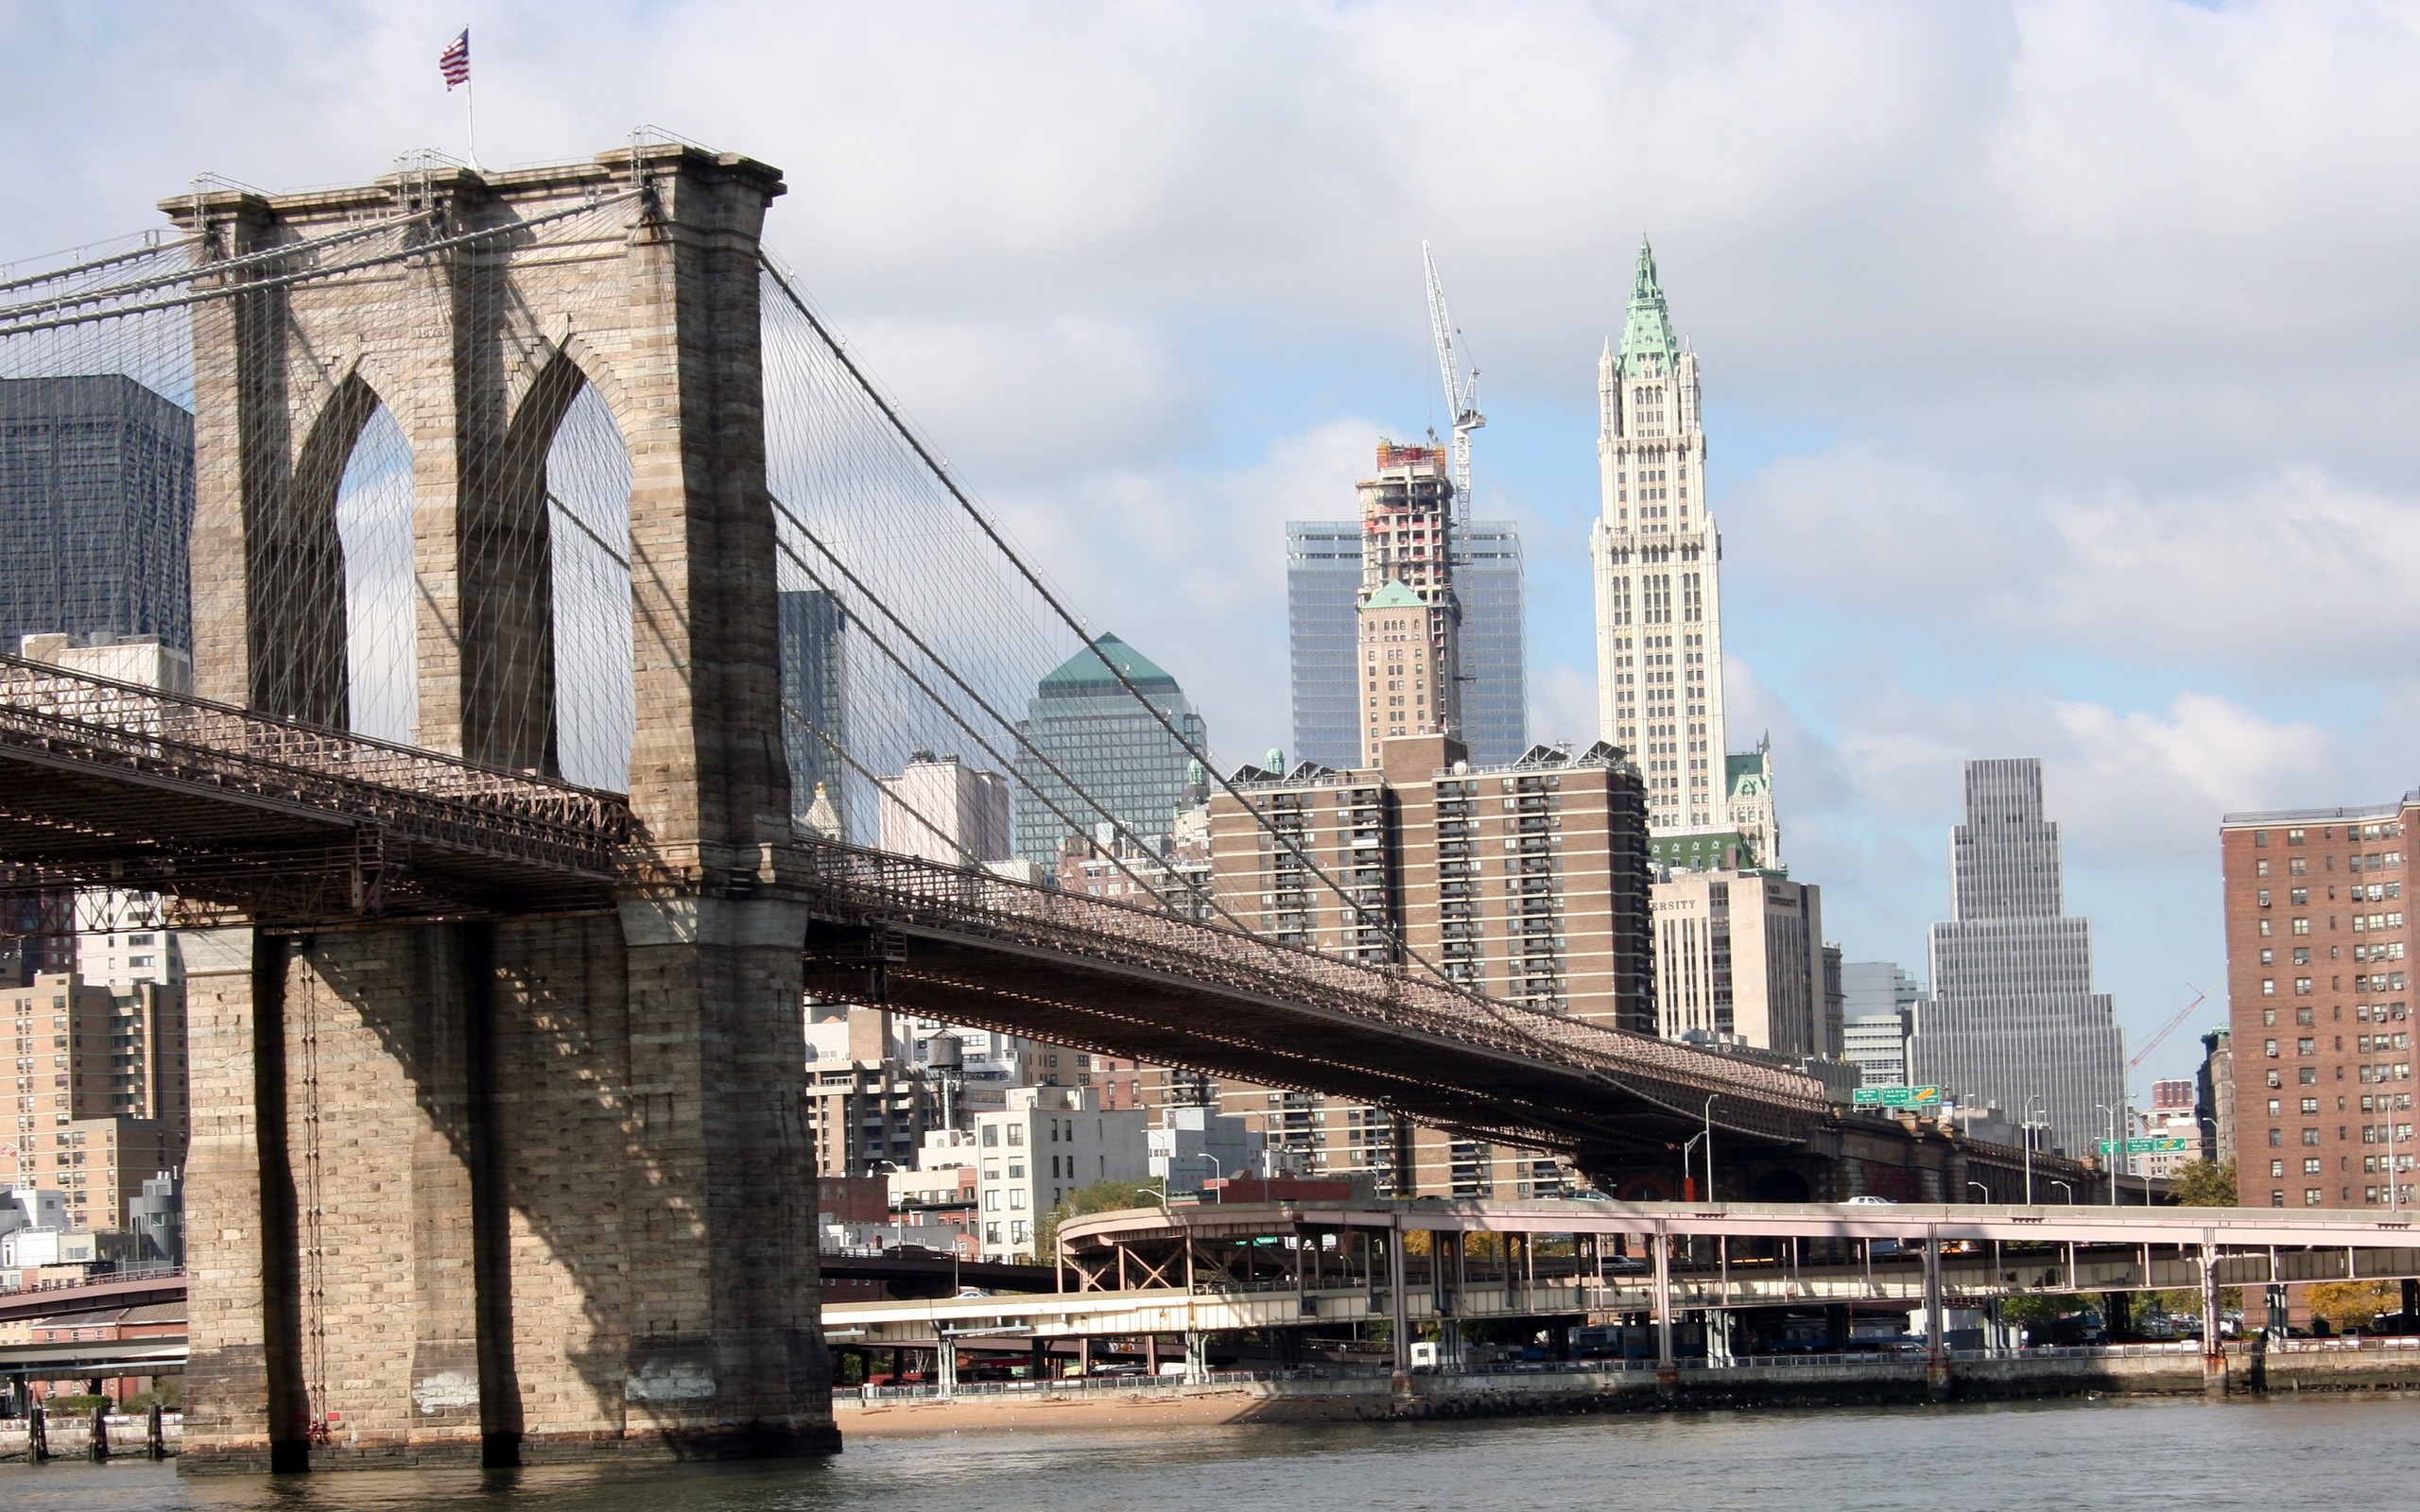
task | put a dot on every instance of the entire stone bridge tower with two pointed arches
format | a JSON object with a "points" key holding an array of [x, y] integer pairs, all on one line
{"points": [[509, 1189]]}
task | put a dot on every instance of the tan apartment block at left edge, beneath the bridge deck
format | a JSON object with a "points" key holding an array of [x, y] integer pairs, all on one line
{"points": [[100, 1092]]}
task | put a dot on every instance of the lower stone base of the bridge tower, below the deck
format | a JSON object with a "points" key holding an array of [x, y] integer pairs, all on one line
{"points": [[476, 1194]]}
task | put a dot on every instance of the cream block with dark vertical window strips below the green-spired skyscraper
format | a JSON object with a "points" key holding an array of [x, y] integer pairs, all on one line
{"points": [[1741, 957]]}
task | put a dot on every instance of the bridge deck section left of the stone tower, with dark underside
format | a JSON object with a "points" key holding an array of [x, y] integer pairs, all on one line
{"points": [[146, 790]]}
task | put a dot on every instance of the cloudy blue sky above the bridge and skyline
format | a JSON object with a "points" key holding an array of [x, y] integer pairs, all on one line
{"points": [[2061, 359]]}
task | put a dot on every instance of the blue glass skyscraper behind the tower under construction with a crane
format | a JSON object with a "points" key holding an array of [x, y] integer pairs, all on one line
{"points": [[1323, 587]]}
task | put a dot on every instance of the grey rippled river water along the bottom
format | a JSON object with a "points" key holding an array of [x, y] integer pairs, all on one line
{"points": [[2068, 1455]]}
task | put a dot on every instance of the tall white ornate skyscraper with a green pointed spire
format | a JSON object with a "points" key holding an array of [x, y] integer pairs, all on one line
{"points": [[1659, 570]]}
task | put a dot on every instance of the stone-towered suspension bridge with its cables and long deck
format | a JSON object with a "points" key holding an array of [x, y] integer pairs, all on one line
{"points": [[480, 819]]}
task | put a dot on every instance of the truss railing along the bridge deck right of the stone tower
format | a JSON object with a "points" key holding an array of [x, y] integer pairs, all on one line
{"points": [[962, 901]]}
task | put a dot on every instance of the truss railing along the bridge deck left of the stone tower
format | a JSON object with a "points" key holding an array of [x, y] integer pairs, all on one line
{"points": [[197, 744]]}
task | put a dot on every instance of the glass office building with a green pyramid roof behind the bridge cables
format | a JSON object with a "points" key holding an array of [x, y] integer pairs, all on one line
{"points": [[1090, 729]]}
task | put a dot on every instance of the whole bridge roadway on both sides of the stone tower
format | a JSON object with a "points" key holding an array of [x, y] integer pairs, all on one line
{"points": [[304, 829]]}
